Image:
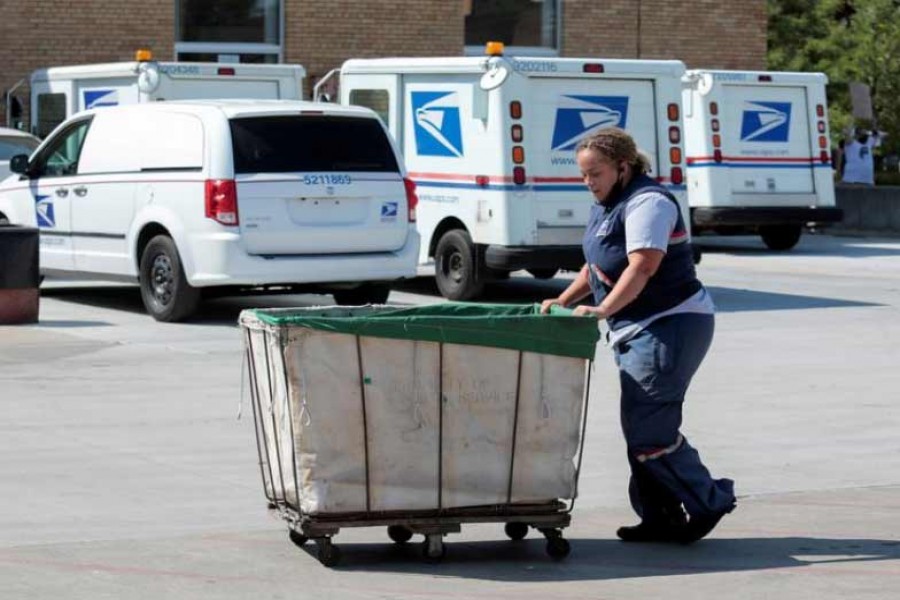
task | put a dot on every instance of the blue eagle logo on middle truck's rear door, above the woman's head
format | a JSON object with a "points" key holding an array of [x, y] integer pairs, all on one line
{"points": [[580, 116]]}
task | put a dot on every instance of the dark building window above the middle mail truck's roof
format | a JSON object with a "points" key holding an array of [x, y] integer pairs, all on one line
{"points": [[524, 26]]}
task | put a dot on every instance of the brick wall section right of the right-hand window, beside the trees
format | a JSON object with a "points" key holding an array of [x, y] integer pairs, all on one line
{"points": [[712, 34]]}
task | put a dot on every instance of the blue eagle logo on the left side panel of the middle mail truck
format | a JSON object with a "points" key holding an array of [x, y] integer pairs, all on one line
{"points": [[437, 124]]}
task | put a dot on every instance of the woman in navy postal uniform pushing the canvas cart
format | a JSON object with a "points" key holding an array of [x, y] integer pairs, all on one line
{"points": [[640, 270]]}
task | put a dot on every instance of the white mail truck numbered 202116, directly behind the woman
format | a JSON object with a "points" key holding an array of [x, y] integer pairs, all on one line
{"points": [[490, 144]]}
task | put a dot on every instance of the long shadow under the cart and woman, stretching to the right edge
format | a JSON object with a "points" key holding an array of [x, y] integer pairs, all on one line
{"points": [[593, 559]]}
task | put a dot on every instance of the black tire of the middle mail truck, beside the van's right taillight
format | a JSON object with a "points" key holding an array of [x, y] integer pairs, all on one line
{"points": [[456, 267]]}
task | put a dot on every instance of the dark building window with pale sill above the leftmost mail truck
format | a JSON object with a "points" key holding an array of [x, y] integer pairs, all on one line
{"points": [[234, 31]]}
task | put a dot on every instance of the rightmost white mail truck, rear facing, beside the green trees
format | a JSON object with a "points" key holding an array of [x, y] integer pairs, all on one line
{"points": [[758, 154]]}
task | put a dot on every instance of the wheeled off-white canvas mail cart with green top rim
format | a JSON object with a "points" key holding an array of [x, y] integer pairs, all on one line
{"points": [[419, 419]]}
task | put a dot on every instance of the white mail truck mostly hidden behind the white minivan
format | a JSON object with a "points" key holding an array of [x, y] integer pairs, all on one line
{"points": [[59, 92]]}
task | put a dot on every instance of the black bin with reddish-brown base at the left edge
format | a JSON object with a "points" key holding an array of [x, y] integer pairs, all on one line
{"points": [[19, 274]]}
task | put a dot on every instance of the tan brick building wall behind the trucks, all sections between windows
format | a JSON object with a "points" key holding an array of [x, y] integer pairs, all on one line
{"points": [[320, 35]]}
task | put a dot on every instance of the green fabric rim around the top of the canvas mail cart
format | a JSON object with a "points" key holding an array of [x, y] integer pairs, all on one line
{"points": [[513, 326]]}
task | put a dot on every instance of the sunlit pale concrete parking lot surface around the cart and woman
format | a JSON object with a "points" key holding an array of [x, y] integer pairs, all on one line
{"points": [[128, 466]]}
